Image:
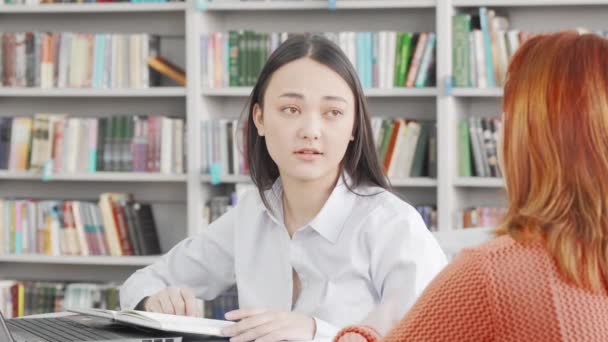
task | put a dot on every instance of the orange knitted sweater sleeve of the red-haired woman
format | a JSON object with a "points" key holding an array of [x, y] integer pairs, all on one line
{"points": [[456, 306]]}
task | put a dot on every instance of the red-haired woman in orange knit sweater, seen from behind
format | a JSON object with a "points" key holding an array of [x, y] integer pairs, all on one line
{"points": [[546, 278]]}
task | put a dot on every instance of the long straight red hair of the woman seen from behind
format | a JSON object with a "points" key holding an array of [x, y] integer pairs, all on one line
{"points": [[554, 152]]}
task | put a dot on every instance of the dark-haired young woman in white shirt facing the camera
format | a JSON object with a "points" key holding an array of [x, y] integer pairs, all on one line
{"points": [[322, 243]]}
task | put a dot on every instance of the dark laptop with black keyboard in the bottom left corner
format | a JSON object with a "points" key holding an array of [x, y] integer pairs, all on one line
{"points": [[77, 328]]}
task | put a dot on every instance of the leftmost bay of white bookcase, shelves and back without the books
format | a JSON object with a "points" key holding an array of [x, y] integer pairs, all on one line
{"points": [[166, 192]]}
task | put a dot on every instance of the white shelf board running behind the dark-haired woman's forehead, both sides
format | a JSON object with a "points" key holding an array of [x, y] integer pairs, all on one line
{"points": [[372, 92]]}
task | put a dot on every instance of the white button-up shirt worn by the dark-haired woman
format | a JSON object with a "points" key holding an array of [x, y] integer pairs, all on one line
{"points": [[358, 252]]}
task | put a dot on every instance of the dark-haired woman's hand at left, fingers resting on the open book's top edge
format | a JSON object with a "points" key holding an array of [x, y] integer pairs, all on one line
{"points": [[174, 301]]}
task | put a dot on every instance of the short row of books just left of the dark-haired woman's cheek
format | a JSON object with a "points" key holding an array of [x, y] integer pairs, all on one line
{"points": [[222, 147]]}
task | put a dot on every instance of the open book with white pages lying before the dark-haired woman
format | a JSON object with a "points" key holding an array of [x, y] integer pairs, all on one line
{"points": [[158, 321]]}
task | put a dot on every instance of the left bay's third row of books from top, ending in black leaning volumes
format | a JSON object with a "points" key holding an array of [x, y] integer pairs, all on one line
{"points": [[116, 225]]}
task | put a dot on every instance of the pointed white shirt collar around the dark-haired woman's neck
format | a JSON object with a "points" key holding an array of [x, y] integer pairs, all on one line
{"points": [[330, 221]]}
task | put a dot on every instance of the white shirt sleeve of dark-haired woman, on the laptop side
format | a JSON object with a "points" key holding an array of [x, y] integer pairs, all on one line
{"points": [[205, 263]]}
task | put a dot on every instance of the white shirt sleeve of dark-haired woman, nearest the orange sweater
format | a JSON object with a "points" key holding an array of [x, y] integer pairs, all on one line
{"points": [[405, 257]]}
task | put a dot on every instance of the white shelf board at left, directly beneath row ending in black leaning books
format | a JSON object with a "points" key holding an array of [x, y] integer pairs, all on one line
{"points": [[79, 260]]}
